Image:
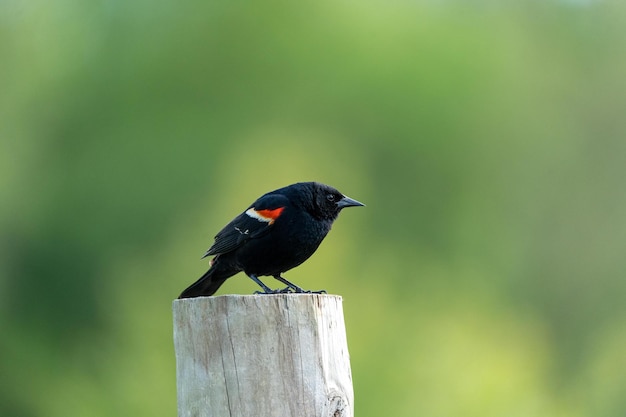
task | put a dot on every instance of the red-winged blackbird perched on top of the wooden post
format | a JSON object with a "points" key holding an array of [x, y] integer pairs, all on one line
{"points": [[277, 232]]}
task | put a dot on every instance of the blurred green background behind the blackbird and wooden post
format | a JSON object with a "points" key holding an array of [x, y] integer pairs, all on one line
{"points": [[484, 278]]}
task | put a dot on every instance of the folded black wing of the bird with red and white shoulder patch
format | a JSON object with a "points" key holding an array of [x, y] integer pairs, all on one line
{"points": [[257, 220]]}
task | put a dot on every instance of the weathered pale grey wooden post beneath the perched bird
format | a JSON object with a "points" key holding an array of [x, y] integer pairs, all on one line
{"points": [[262, 356]]}
